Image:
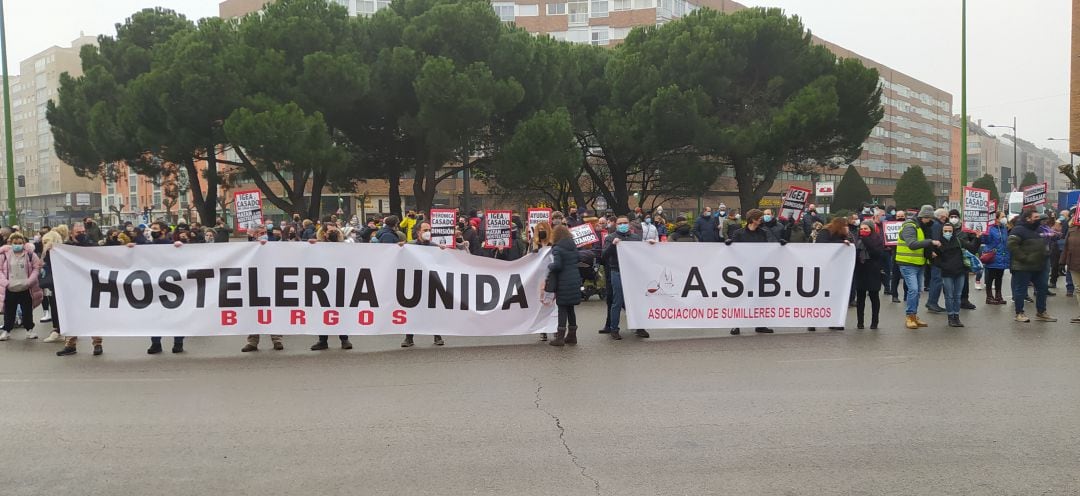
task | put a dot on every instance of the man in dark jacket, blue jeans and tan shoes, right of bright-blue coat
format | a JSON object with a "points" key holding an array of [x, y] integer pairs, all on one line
{"points": [[1029, 265]]}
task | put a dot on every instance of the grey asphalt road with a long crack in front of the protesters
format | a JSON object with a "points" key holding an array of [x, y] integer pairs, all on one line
{"points": [[990, 409]]}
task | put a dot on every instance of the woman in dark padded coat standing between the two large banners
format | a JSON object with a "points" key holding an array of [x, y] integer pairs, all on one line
{"points": [[564, 283]]}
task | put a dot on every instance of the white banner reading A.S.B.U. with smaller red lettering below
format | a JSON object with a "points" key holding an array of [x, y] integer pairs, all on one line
{"points": [[701, 286]]}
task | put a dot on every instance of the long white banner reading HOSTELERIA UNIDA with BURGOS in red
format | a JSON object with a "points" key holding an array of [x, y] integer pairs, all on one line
{"points": [[211, 290]]}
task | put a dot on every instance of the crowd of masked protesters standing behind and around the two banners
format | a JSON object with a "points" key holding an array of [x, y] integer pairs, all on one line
{"points": [[933, 253]]}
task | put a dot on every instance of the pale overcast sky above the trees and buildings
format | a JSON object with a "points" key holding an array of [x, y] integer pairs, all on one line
{"points": [[1018, 53]]}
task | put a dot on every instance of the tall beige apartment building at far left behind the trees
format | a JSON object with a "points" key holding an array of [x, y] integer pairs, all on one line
{"points": [[48, 192]]}
